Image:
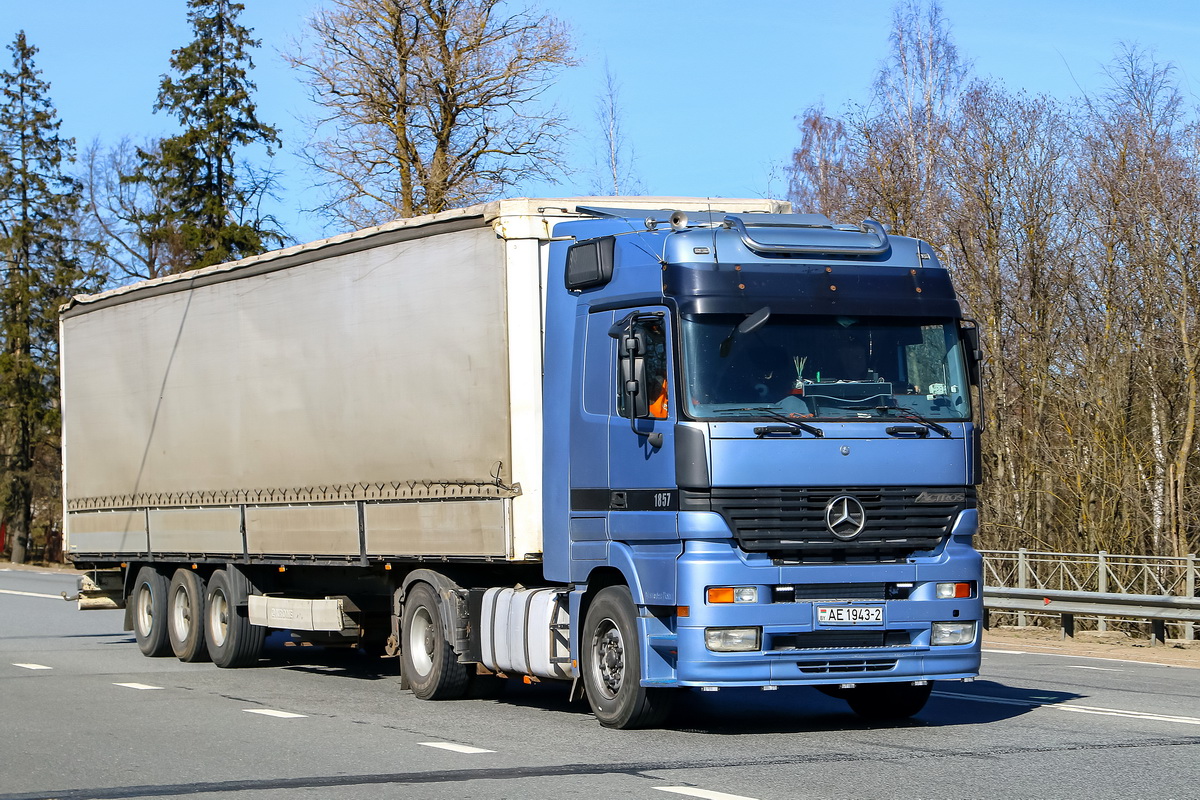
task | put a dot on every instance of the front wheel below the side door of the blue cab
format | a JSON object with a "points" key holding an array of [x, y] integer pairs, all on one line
{"points": [[611, 664]]}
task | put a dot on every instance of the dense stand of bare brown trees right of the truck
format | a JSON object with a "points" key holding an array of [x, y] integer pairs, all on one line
{"points": [[1075, 239]]}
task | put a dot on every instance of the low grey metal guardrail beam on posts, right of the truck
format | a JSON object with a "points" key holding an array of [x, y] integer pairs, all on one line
{"points": [[1067, 605]]}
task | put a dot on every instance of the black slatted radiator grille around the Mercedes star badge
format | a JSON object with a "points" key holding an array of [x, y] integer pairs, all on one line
{"points": [[791, 522]]}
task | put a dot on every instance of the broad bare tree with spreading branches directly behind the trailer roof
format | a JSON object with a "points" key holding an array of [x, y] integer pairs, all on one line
{"points": [[429, 105]]}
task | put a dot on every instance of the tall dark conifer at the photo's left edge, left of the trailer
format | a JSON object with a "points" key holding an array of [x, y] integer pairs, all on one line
{"points": [[39, 272]]}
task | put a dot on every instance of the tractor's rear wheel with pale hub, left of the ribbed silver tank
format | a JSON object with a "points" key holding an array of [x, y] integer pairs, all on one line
{"points": [[429, 661]]}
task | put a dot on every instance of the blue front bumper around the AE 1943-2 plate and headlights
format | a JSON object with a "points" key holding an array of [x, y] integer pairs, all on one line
{"points": [[796, 648]]}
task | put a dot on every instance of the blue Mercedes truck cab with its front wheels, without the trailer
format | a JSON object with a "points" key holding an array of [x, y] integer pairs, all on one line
{"points": [[760, 460]]}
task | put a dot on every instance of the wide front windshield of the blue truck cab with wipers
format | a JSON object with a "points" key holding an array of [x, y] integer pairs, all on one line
{"points": [[824, 368]]}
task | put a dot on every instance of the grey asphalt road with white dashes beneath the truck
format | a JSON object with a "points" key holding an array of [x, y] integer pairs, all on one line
{"points": [[85, 715]]}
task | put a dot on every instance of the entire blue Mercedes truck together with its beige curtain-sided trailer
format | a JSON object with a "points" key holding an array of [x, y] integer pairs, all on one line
{"points": [[643, 446]]}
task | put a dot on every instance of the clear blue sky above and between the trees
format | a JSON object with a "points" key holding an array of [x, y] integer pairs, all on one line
{"points": [[710, 89]]}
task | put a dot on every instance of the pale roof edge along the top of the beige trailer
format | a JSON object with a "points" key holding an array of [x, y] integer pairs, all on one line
{"points": [[511, 218]]}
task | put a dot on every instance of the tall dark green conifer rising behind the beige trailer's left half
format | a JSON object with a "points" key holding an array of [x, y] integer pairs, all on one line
{"points": [[196, 172]]}
